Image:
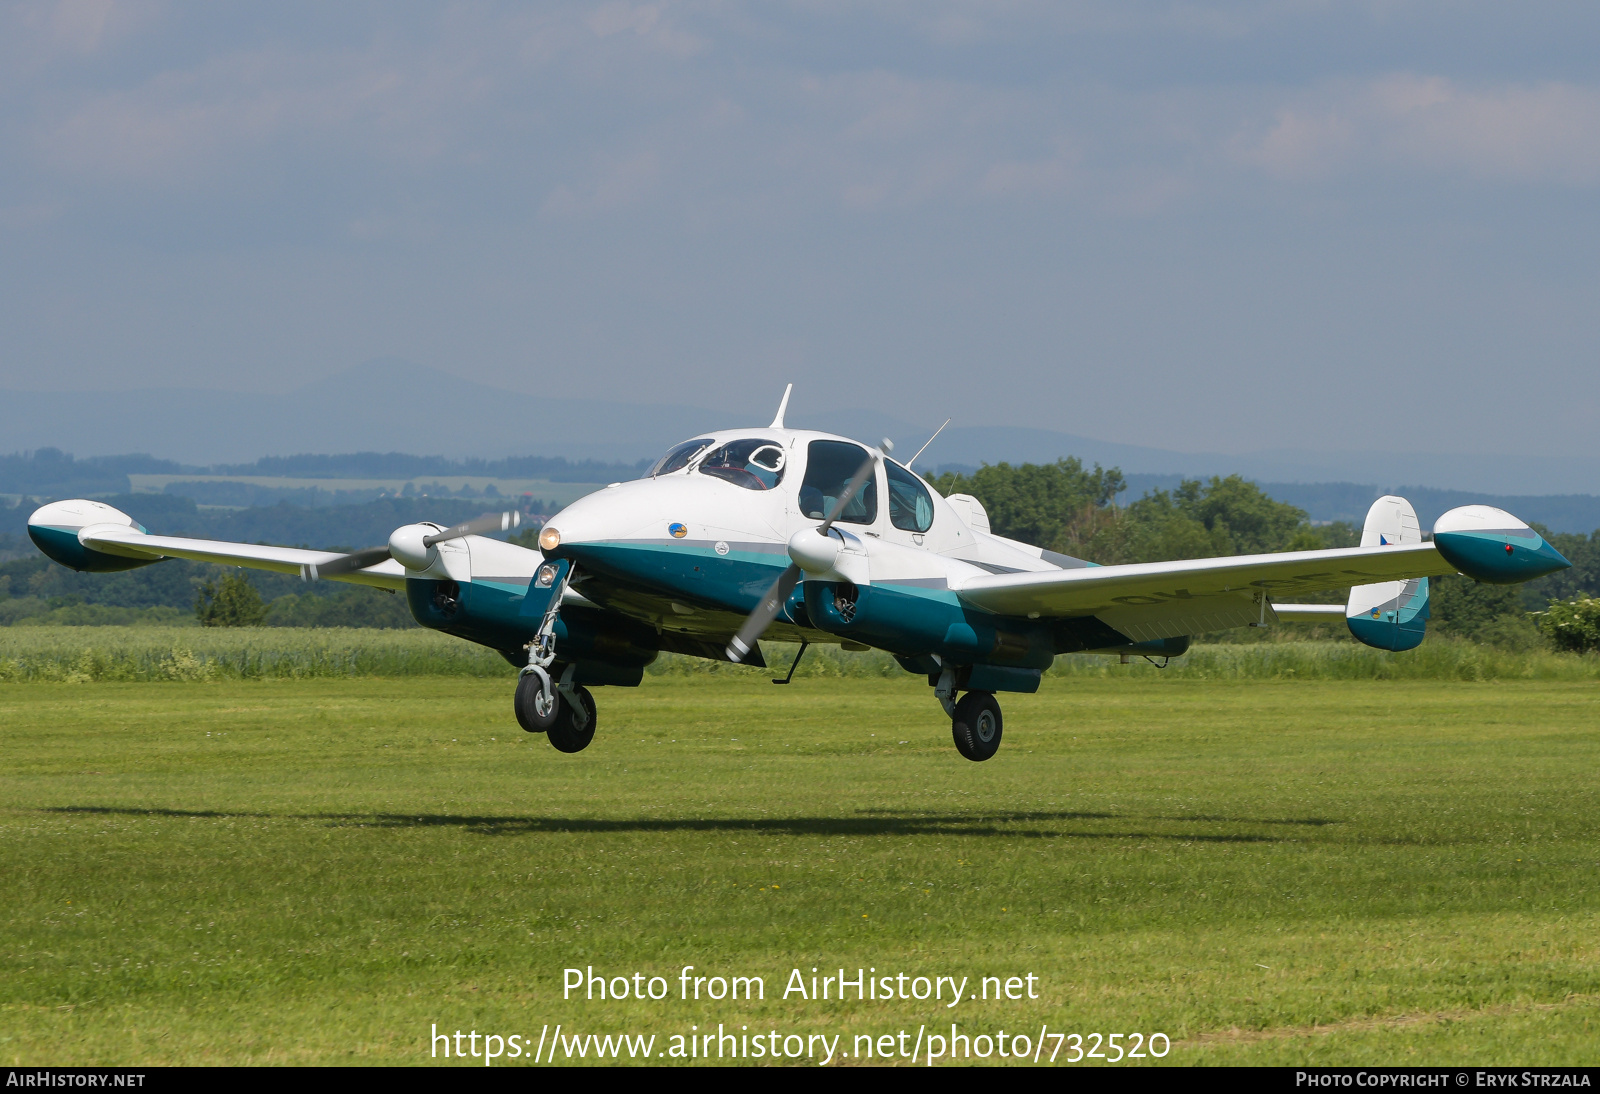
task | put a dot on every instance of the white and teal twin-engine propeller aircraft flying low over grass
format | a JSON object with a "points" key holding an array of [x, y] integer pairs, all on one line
{"points": [[815, 538]]}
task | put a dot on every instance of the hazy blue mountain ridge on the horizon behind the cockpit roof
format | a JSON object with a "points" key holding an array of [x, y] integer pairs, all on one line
{"points": [[391, 405]]}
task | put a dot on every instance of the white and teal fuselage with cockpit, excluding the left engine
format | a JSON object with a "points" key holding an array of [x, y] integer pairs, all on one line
{"points": [[695, 545]]}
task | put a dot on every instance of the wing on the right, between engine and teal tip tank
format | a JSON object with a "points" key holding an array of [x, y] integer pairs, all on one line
{"points": [[1166, 601]]}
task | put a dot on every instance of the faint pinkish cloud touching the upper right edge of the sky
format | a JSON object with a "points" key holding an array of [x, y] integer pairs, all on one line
{"points": [[1543, 134]]}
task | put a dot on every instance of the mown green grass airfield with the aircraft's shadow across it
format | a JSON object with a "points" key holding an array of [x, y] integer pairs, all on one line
{"points": [[1279, 871]]}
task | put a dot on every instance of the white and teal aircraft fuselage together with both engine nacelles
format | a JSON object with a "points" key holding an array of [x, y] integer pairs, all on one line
{"points": [[678, 559]]}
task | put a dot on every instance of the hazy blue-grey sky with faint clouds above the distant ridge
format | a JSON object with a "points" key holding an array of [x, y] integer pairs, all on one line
{"points": [[1196, 226]]}
